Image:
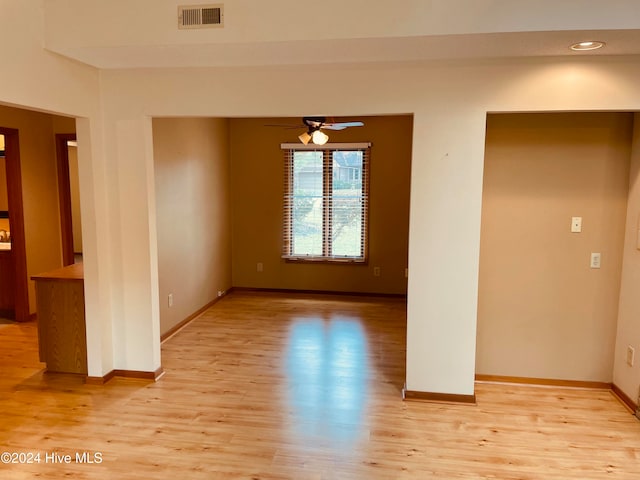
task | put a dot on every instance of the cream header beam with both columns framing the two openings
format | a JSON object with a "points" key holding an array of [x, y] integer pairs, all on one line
{"points": [[449, 102]]}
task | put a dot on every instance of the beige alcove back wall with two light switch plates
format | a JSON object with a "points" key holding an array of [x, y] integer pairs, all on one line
{"points": [[543, 312]]}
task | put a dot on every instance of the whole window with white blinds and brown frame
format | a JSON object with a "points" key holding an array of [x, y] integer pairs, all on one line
{"points": [[326, 199]]}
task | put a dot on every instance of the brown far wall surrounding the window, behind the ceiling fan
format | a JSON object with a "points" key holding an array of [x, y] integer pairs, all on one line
{"points": [[257, 189]]}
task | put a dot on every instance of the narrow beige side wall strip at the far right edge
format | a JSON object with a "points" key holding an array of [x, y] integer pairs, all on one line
{"points": [[627, 376]]}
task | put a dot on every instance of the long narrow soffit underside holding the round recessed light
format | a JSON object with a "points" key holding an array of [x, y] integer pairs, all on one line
{"points": [[494, 45]]}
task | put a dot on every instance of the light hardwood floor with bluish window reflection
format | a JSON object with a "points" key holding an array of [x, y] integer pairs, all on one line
{"points": [[273, 386]]}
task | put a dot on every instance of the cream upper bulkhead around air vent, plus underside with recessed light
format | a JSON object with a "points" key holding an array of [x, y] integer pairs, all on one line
{"points": [[144, 33]]}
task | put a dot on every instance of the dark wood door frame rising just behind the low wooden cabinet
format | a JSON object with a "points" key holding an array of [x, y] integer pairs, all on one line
{"points": [[64, 196]]}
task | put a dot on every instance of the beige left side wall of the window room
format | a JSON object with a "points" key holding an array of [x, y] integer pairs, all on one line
{"points": [[192, 214]]}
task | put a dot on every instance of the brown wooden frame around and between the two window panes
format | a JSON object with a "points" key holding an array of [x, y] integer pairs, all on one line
{"points": [[289, 150]]}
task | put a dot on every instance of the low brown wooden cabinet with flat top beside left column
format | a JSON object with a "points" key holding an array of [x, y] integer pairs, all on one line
{"points": [[61, 321]]}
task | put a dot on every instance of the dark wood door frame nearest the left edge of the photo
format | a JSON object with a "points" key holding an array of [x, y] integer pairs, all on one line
{"points": [[16, 222]]}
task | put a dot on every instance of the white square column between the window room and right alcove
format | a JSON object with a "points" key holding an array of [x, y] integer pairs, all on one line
{"points": [[444, 243]]}
